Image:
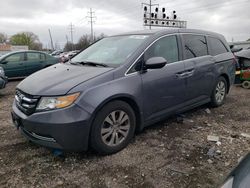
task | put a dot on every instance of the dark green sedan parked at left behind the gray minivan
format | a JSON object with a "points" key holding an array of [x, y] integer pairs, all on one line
{"points": [[24, 63]]}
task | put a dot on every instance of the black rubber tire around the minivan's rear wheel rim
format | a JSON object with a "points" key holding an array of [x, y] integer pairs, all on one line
{"points": [[215, 102]]}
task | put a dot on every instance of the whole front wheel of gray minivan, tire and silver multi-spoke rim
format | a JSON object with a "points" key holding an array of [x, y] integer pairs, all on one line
{"points": [[113, 128]]}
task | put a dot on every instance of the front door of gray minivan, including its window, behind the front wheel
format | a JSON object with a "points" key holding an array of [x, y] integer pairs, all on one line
{"points": [[163, 89]]}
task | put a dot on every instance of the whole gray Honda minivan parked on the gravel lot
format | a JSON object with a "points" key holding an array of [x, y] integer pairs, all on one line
{"points": [[120, 85]]}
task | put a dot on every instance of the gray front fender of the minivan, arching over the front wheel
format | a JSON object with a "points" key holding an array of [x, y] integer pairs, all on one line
{"points": [[128, 89]]}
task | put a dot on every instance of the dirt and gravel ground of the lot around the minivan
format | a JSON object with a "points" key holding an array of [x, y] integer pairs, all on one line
{"points": [[170, 154]]}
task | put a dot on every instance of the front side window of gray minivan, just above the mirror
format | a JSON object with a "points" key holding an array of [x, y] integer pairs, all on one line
{"points": [[165, 47]]}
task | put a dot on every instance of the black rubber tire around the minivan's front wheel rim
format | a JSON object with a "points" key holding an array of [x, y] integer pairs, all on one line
{"points": [[97, 140]]}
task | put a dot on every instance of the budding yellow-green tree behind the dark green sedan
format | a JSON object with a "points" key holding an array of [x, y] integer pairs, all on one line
{"points": [[26, 38]]}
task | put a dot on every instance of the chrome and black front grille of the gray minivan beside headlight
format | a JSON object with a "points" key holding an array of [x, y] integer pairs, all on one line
{"points": [[26, 103]]}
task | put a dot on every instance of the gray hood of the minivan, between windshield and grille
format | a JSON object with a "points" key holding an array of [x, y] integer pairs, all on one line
{"points": [[58, 79]]}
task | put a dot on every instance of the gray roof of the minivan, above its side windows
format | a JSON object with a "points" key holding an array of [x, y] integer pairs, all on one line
{"points": [[169, 31]]}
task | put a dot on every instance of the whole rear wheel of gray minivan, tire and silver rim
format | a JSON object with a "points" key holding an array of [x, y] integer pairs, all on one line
{"points": [[219, 92]]}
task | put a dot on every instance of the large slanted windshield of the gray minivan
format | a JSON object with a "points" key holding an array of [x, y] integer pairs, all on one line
{"points": [[111, 51]]}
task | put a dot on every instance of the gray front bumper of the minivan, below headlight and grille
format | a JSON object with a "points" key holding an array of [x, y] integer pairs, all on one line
{"points": [[66, 129]]}
